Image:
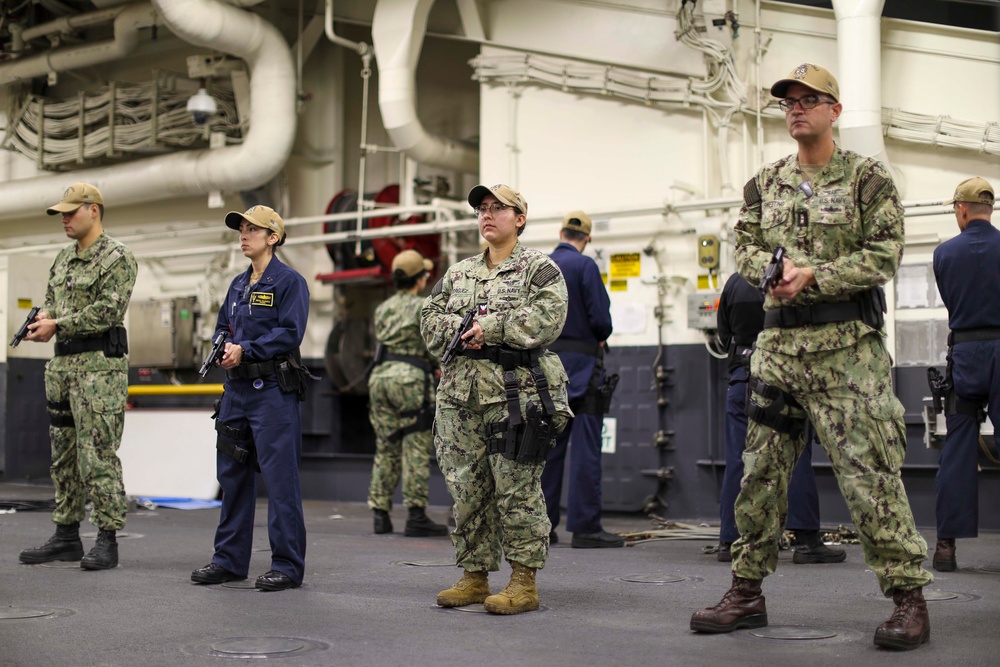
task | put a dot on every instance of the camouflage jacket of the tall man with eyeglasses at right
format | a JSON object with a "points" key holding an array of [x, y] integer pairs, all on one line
{"points": [[850, 231]]}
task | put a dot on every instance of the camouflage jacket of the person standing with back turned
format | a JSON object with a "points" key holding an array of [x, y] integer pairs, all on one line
{"points": [[397, 327]]}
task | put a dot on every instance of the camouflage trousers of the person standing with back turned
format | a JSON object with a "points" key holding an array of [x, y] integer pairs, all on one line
{"points": [[409, 456]]}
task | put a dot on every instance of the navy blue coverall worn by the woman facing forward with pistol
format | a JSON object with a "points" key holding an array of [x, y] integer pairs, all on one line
{"points": [[267, 320]]}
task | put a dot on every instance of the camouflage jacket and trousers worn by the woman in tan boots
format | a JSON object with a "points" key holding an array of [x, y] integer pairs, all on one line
{"points": [[499, 504]]}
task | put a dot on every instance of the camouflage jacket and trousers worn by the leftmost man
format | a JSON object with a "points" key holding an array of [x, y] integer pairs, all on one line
{"points": [[88, 293]]}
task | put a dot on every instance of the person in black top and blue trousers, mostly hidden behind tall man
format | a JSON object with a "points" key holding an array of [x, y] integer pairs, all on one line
{"points": [[741, 318]]}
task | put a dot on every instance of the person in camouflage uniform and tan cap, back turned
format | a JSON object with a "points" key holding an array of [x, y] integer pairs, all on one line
{"points": [[401, 402]]}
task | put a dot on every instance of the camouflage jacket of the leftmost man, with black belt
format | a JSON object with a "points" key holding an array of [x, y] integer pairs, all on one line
{"points": [[88, 293]]}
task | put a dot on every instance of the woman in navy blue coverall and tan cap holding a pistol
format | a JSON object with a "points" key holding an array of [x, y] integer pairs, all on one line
{"points": [[259, 421]]}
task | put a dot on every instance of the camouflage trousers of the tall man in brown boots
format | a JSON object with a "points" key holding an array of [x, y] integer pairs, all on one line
{"points": [[848, 396]]}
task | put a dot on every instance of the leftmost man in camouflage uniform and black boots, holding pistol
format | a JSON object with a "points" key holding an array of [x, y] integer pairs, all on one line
{"points": [[86, 382]]}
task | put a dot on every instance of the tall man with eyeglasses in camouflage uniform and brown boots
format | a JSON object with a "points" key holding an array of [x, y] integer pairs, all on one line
{"points": [[821, 356]]}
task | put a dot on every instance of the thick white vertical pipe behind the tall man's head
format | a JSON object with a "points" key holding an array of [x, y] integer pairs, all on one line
{"points": [[859, 56]]}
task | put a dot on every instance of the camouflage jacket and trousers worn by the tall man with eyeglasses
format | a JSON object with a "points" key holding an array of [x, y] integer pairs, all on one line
{"points": [[852, 235]]}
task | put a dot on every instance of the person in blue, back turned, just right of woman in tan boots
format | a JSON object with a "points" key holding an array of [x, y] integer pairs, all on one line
{"points": [[580, 346]]}
